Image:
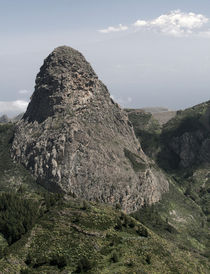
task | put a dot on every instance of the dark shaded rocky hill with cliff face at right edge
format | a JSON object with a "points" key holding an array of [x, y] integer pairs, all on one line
{"points": [[186, 138]]}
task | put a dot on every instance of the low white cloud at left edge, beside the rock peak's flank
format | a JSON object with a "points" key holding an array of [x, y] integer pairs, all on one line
{"points": [[13, 106]]}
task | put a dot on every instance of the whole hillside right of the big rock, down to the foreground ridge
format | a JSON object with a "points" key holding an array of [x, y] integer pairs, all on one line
{"points": [[181, 149]]}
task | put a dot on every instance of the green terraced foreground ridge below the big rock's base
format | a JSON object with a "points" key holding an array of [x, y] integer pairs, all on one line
{"points": [[81, 237]]}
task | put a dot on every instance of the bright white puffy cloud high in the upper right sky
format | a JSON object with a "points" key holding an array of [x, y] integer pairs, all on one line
{"points": [[175, 23]]}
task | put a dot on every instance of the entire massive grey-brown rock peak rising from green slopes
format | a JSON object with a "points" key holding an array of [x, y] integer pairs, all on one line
{"points": [[75, 138]]}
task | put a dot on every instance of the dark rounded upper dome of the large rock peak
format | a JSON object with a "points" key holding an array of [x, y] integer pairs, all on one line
{"points": [[64, 74]]}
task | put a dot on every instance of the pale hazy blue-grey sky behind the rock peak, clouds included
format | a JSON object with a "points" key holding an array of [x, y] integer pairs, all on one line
{"points": [[148, 53]]}
